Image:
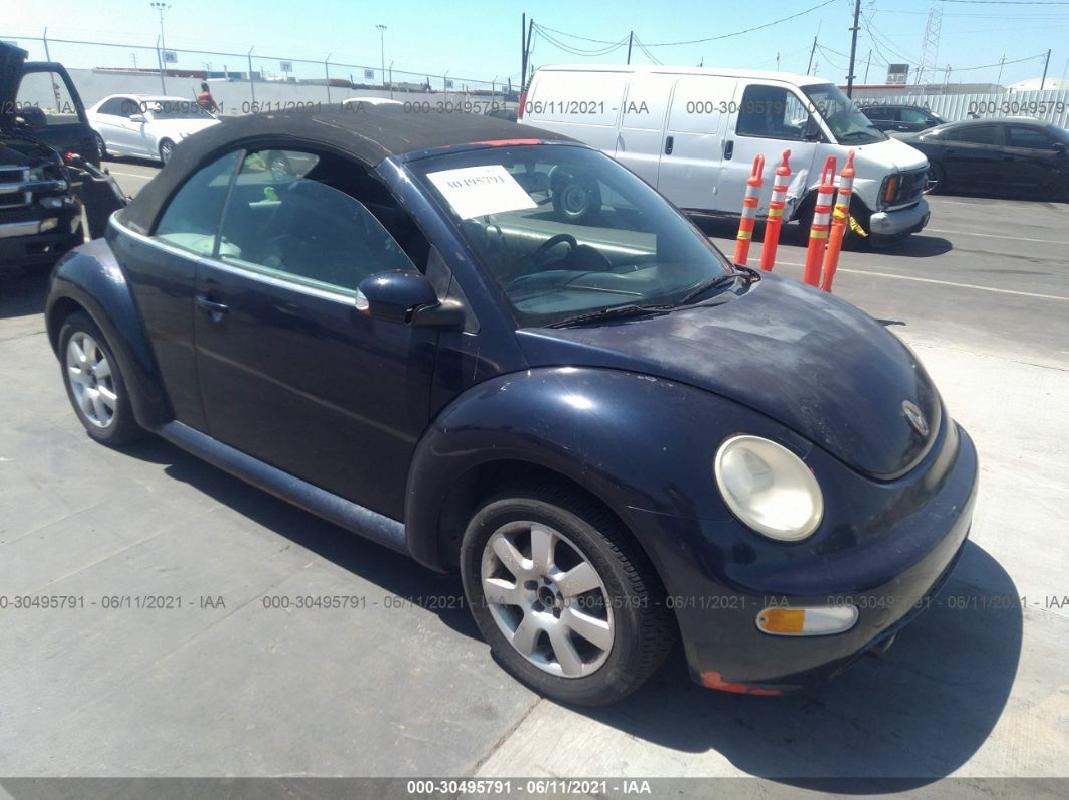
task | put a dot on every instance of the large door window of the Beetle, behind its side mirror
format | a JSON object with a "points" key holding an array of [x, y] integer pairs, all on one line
{"points": [[291, 216]]}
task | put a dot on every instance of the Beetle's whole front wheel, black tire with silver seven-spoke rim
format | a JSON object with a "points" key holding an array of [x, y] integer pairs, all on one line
{"points": [[570, 606]]}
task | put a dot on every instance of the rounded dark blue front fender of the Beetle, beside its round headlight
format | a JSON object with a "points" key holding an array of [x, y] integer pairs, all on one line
{"points": [[640, 444]]}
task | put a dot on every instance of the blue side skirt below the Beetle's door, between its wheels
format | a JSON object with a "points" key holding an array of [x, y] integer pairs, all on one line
{"points": [[331, 507]]}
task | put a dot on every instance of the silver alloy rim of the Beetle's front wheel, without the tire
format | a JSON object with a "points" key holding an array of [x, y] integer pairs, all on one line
{"points": [[548, 599]]}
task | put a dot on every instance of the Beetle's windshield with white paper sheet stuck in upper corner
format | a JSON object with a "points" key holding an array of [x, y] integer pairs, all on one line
{"points": [[566, 230]]}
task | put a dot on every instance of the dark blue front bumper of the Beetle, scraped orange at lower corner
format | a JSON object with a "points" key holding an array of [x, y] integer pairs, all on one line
{"points": [[890, 578]]}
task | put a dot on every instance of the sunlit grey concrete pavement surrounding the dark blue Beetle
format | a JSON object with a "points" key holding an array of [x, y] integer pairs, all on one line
{"points": [[401, 685]]}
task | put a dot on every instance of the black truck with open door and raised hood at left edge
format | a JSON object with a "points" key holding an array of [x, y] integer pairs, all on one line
{"points": [[49, 163]]}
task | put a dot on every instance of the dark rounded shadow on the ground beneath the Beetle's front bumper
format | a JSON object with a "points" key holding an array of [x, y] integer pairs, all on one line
{"points": [[906, 719]]}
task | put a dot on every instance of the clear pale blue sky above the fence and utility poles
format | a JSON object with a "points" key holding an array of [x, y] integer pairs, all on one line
{"points": [[481, 39]]}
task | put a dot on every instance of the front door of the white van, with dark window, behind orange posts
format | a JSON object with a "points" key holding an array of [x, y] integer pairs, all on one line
{"points": [[769, 119]]}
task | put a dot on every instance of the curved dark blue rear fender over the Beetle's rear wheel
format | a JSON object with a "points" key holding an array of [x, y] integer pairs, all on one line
{"points": [[89, 278]]}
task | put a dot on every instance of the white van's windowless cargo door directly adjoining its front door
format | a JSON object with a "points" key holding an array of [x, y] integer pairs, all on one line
{"points": [[693, 152]]}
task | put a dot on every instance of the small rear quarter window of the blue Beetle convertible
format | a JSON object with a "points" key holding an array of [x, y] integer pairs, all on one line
{"points": [[193, 216]]}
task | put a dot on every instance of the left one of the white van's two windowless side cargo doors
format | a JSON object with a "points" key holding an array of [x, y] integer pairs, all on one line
{"points": [[641, 142]]}
